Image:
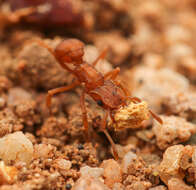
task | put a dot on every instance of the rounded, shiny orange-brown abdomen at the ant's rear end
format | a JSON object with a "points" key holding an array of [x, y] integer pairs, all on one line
{"points": [[70, 51]]}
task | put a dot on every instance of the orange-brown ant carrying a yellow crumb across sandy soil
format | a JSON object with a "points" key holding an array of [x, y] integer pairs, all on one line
{"points": [[104, 89]]}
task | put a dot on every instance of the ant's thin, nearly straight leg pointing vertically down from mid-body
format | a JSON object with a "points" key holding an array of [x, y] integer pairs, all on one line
{"points": [[84, 114]]}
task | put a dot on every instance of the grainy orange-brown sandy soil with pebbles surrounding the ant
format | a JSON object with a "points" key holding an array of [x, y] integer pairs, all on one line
{"points": [[153, 43]]}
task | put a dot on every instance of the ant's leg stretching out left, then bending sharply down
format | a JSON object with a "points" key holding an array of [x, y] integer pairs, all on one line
{"points": [[59, 90]]}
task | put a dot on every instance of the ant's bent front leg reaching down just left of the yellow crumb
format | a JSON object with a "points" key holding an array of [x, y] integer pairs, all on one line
{"points": [[103, 128]]}
